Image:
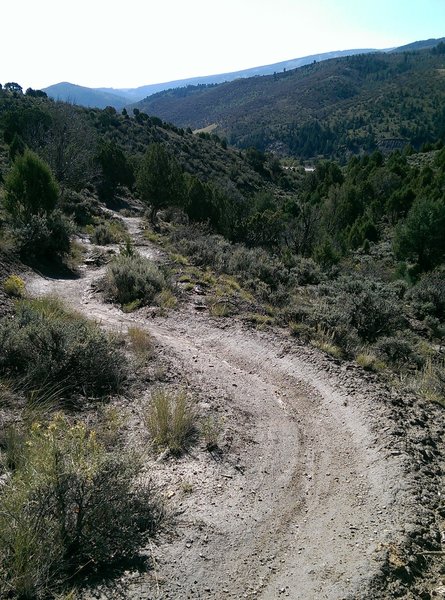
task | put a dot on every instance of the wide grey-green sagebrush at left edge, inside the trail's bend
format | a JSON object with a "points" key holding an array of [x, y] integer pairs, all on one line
{"points": [[47, 344]]}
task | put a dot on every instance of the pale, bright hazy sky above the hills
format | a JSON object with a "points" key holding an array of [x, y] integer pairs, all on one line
{"points": [[135, 42]]}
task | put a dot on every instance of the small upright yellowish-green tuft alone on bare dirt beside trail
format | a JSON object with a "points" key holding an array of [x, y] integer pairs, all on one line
{"points": [[170, 420]]}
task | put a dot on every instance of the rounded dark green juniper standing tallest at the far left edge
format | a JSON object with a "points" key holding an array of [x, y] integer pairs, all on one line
{"points": [[30, 188]]}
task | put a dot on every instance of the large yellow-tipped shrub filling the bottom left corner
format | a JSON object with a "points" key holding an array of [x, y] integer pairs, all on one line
{"points": [[68, 507]]}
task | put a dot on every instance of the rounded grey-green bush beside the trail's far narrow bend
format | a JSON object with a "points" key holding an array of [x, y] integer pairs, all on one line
{"points": [[133, 278]]}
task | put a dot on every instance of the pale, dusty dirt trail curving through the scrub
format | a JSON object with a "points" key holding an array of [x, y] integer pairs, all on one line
{"points": [[312, 493]]}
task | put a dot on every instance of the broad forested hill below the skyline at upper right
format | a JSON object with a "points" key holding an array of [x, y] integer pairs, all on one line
{"points": [[334, 108]]}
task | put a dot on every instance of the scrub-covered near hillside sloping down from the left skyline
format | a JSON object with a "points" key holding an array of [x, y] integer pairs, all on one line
{"points": [[38, 122]]}
